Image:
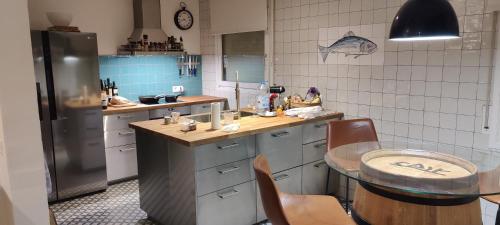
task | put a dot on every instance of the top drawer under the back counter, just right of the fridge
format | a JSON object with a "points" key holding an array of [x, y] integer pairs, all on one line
{"points": [[121, 121]]}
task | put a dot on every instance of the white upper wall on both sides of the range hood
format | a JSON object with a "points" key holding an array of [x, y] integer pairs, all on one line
{"points": [[113, 21]]}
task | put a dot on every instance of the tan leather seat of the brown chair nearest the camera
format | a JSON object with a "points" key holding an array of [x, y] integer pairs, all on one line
{"points": [[314, 210]]}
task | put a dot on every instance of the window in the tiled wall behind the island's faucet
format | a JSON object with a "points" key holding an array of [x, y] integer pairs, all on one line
{"points": [[245, 53]]}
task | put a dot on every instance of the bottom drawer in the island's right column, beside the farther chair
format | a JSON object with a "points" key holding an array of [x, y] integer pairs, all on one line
{"points": [[314, 176]]}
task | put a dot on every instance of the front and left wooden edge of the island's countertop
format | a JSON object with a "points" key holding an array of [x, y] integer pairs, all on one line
{"points": [[337, 115]]}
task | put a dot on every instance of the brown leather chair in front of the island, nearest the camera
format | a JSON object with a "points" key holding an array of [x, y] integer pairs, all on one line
{"points": [[287, 209]]}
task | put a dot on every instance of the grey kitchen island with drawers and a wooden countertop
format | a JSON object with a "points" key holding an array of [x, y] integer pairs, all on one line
{"points": [[205, 177]]}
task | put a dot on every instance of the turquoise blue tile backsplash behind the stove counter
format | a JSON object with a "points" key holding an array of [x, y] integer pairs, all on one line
{"points": [[147, 75]]}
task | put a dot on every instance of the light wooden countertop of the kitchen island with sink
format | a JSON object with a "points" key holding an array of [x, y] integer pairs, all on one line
{"points": [[205, 135]]}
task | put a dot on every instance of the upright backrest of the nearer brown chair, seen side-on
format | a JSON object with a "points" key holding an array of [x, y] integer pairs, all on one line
{"points": [[269, 193]]}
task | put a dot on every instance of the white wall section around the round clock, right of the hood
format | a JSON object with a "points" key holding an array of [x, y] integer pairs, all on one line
{"points": [[192, 36]]}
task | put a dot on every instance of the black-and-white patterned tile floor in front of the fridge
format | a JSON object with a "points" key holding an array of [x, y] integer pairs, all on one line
{"points": [[119, 205]]}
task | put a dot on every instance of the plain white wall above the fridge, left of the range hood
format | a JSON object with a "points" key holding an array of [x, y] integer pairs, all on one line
{"points": [[112, 20]]}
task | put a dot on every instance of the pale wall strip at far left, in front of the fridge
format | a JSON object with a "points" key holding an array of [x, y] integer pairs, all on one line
{"points": [[23, 198]]}
